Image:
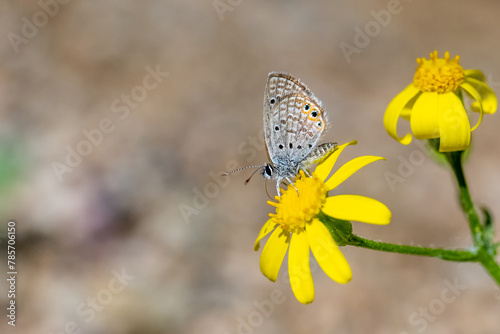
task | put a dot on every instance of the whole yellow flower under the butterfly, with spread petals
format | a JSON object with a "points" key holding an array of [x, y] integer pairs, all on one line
{"points": [[296, 225]]}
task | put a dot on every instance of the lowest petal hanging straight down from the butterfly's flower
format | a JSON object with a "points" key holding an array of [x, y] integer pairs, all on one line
{"points": [[299, 269]]}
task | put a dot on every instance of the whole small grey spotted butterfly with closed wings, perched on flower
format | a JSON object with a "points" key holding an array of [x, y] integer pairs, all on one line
{"points": [[294, 120]]}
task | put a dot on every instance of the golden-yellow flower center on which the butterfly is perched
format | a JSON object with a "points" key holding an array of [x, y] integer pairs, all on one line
{"points": [[294, 210]]}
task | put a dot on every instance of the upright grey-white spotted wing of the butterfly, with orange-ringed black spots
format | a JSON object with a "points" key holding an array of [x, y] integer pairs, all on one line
{"points": [[293, 119]]}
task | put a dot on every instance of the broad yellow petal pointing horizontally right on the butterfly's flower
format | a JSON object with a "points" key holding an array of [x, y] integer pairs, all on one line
{"points": [[357, 208]]}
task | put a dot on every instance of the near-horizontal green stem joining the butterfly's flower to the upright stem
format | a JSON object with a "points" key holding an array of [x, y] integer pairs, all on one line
{"points": [[459, 255]]}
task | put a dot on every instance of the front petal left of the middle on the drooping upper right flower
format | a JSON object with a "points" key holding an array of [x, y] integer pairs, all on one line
{"points": [[424, 116]]}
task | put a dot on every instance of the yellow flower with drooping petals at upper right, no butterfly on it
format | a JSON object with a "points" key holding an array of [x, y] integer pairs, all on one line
{"points": [[434, 105]]}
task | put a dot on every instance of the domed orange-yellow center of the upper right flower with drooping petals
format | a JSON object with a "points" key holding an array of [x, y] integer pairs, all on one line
{"points": [[442, 75]]}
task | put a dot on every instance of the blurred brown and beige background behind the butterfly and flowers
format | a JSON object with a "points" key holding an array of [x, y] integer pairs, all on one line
{"points": [[146, 202]]}
